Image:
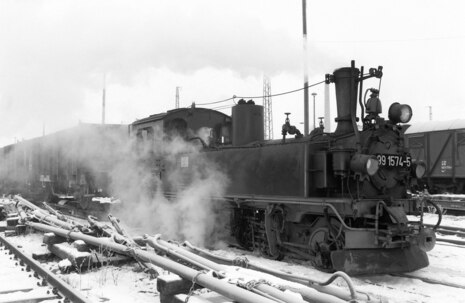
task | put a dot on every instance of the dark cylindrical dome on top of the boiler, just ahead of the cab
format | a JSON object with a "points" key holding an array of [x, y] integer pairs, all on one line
{"points": [[247, 119]]}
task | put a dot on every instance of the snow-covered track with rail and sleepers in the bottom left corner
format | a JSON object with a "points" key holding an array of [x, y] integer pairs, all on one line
{"points": [[25, 280]]}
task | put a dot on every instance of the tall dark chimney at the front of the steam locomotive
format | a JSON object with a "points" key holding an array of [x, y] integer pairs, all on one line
{"points": [[346, 82]]}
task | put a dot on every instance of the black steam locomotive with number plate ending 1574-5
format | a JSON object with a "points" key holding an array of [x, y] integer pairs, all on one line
{"points": [[337, 199]]}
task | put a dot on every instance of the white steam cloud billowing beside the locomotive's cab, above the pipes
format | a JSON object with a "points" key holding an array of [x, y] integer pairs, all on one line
{"points": [[193, 214]]}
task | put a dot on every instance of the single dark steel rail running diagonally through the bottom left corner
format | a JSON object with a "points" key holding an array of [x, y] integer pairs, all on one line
{"points": [[63, 288]]}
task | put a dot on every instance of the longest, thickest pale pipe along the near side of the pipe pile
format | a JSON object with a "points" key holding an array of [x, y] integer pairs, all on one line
{"points": [[201, 278]]}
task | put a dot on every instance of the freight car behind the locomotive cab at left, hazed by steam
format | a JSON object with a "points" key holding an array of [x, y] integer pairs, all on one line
{"points": [[70, 168]]}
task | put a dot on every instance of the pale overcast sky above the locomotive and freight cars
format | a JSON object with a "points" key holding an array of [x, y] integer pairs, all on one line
{"points": [[53, 55]]}
